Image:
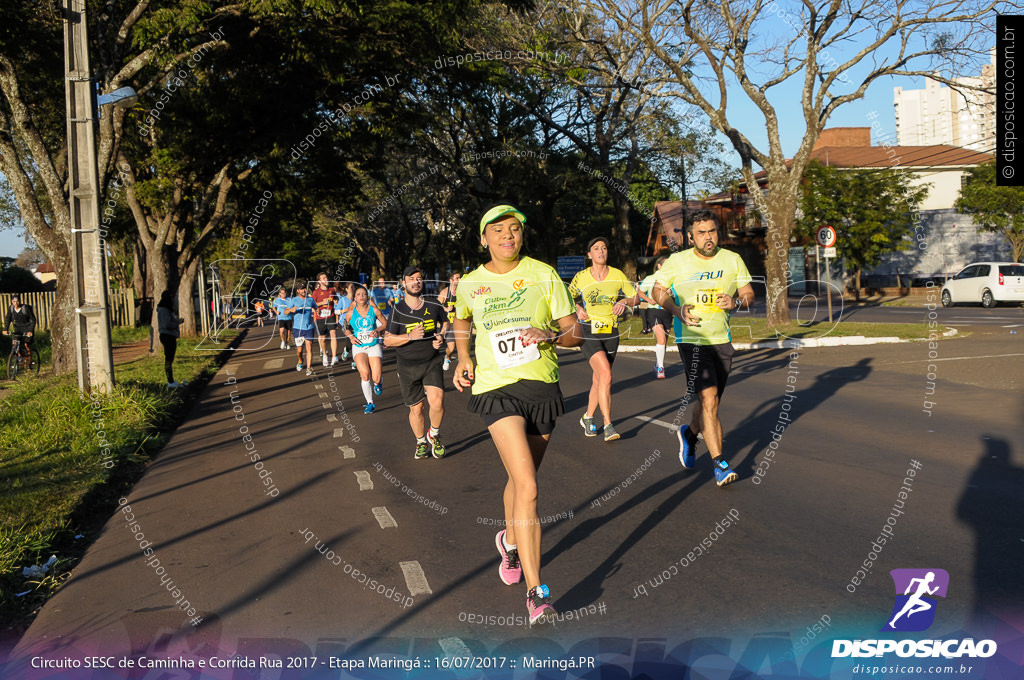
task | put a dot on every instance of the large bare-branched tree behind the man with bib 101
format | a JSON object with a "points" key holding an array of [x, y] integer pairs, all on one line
{"points": [[832, 52]]}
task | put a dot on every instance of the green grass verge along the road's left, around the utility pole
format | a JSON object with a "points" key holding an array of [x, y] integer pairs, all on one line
{"points": [[61, 480]]}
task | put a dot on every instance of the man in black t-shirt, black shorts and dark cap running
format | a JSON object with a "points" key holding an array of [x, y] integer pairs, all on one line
{"points": [[416, 329]]}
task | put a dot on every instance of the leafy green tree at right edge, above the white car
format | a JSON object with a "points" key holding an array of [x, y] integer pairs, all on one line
{"points": [[996, 209]]}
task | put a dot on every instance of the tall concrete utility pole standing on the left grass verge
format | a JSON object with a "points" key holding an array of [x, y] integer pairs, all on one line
{"points": [[93, 327]]}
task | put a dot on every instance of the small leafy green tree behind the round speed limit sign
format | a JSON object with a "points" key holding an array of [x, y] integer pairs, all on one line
{"points": [[873, 211]]}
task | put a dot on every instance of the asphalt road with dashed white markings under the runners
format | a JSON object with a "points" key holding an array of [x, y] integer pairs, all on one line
{"points": [[623, 524]]}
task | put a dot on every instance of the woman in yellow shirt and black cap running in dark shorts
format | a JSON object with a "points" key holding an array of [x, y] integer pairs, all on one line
{"points": [[603, 294]]}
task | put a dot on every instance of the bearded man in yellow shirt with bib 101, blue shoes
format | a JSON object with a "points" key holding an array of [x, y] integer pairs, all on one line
{"points": [[710, 284]]}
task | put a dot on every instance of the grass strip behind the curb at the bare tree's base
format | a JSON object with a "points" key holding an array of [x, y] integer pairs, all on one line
{"points": [[752, 329]]}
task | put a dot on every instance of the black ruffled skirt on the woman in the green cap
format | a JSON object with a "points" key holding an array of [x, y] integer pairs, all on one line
{"points": [[537, 402]]}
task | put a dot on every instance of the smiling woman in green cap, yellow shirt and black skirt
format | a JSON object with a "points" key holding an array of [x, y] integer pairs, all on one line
{"points": [[516, 304]]}
